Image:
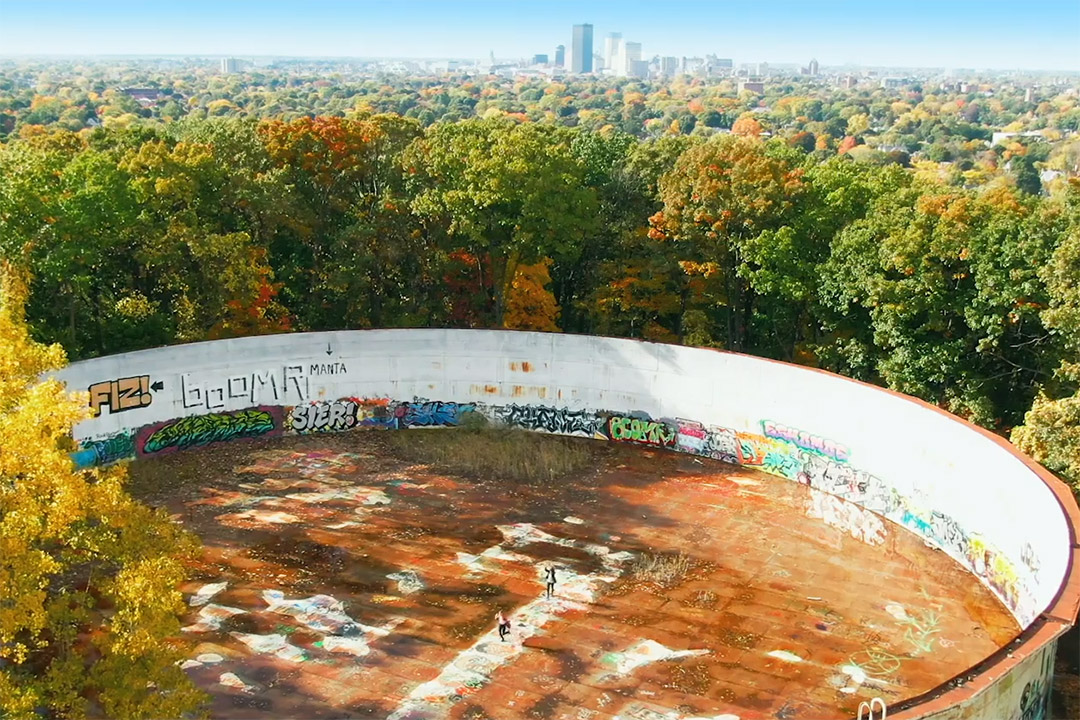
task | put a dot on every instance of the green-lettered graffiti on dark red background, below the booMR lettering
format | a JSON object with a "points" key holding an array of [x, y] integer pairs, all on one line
{"points": [[206, 429]]}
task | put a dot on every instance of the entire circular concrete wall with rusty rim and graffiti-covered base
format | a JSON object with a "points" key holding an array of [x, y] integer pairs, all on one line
{"points": [[963, 490]]}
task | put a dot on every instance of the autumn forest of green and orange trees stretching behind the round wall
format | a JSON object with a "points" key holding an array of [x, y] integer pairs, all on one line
{"points": [[873, 233]]}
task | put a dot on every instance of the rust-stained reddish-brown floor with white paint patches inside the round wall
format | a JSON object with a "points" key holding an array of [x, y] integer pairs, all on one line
{"points": [[339, 581]]}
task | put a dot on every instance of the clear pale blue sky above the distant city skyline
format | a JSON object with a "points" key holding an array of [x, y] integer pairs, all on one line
{"points": [[977, 34]]}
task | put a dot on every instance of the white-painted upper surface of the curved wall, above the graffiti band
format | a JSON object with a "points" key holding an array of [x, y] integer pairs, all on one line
{"points": [[917, 461]]}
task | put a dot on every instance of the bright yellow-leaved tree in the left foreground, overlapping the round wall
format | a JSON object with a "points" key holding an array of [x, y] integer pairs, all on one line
{"points": [[73, 545]]}
